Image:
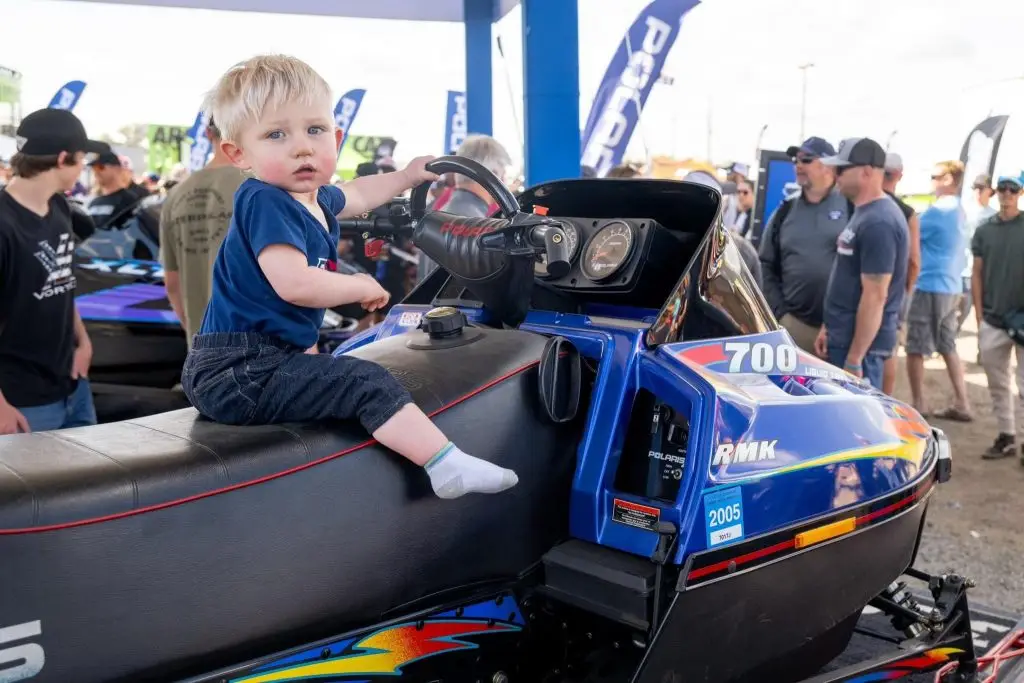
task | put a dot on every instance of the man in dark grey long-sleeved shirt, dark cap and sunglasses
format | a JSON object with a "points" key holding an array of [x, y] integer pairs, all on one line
{"points": [[799, 245]]}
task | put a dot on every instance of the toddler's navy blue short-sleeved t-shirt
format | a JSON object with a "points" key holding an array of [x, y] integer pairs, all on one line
{"points": [[243, 300]]}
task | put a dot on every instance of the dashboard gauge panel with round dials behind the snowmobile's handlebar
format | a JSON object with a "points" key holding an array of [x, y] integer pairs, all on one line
{"points": [[605, 253]]}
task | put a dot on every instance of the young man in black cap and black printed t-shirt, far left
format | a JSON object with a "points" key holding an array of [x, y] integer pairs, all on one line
{"points": [[45, 350]]}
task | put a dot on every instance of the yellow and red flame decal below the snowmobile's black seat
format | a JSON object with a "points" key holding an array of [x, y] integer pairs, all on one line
{"points": [[387, 652]]}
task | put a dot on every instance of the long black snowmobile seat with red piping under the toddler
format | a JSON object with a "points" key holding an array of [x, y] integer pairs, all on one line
{"points": [[170, 546]]}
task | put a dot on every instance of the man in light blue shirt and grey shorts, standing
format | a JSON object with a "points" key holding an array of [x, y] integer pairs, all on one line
{"points": [[934, 318]]}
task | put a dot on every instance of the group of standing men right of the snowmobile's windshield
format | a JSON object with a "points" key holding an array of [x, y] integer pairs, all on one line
{"points": [[855, 274]]}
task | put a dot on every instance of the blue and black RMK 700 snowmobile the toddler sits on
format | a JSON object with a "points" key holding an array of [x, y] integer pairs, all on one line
{"points": [[699, 500]]}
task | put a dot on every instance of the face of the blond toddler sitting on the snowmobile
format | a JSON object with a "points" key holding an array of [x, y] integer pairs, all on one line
{"points": [[294, 147]]}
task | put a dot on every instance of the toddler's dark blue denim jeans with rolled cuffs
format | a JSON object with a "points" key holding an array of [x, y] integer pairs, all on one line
{"points": [[251, 379]]}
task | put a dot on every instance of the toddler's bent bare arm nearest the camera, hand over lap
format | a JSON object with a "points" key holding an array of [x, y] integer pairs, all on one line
{"points": [[303, 285]]}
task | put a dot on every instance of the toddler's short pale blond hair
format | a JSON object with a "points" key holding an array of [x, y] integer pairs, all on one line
{"points": [[250, 88]]}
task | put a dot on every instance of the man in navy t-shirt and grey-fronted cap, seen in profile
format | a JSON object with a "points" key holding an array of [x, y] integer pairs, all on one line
{"points": [[869, 277]]}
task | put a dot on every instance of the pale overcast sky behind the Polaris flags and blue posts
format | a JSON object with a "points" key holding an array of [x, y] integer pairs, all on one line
{"points": [[927, 69]]}
